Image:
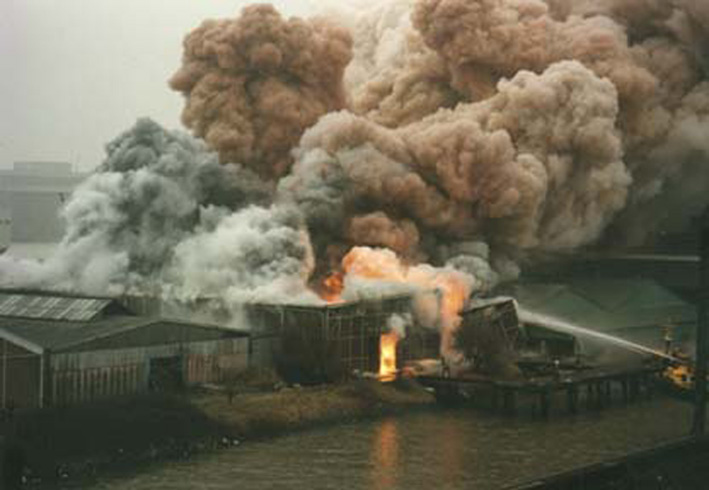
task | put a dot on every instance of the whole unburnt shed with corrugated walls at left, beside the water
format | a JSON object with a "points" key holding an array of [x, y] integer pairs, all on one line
{"points": [[60, 350]]}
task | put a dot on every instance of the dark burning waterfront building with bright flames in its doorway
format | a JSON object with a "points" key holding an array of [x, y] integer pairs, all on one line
{"points": [[325, 342]]}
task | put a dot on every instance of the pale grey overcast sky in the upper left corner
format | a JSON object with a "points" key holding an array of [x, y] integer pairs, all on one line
{"points": [[75, 73]]}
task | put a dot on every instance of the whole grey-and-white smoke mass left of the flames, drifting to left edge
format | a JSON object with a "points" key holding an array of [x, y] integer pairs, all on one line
{"points": [[161, 215]]}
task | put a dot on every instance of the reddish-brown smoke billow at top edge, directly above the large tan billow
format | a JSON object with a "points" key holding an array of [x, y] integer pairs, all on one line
{"points": [[483, 41]]}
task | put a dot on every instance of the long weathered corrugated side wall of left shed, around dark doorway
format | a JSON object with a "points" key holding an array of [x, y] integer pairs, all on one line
{"points": [[84, 376]]}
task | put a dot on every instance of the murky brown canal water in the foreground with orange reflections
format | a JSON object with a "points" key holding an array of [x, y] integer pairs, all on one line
{"points": [[441, 448]]}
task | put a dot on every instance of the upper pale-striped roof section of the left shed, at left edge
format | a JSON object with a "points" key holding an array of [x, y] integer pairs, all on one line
{"points": [[51, 307]]}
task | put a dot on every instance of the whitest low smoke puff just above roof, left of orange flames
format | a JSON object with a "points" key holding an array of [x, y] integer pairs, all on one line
{"points": [[257, 254]]}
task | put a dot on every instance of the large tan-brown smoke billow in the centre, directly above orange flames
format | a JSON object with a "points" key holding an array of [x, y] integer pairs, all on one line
{"points": [[537, 166]]}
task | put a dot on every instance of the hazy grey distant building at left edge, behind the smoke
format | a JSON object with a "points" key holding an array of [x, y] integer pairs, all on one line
{"points": [[33, 193]]}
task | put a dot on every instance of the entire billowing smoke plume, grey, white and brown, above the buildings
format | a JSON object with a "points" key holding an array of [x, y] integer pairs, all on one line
{"points": [[460, 135]]}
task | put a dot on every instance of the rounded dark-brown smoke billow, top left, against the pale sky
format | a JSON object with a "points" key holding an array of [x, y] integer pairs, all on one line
{"points": [[253, 84]]}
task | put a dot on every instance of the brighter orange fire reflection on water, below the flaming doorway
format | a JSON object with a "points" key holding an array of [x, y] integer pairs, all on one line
{"points": [[385, 456]]}
